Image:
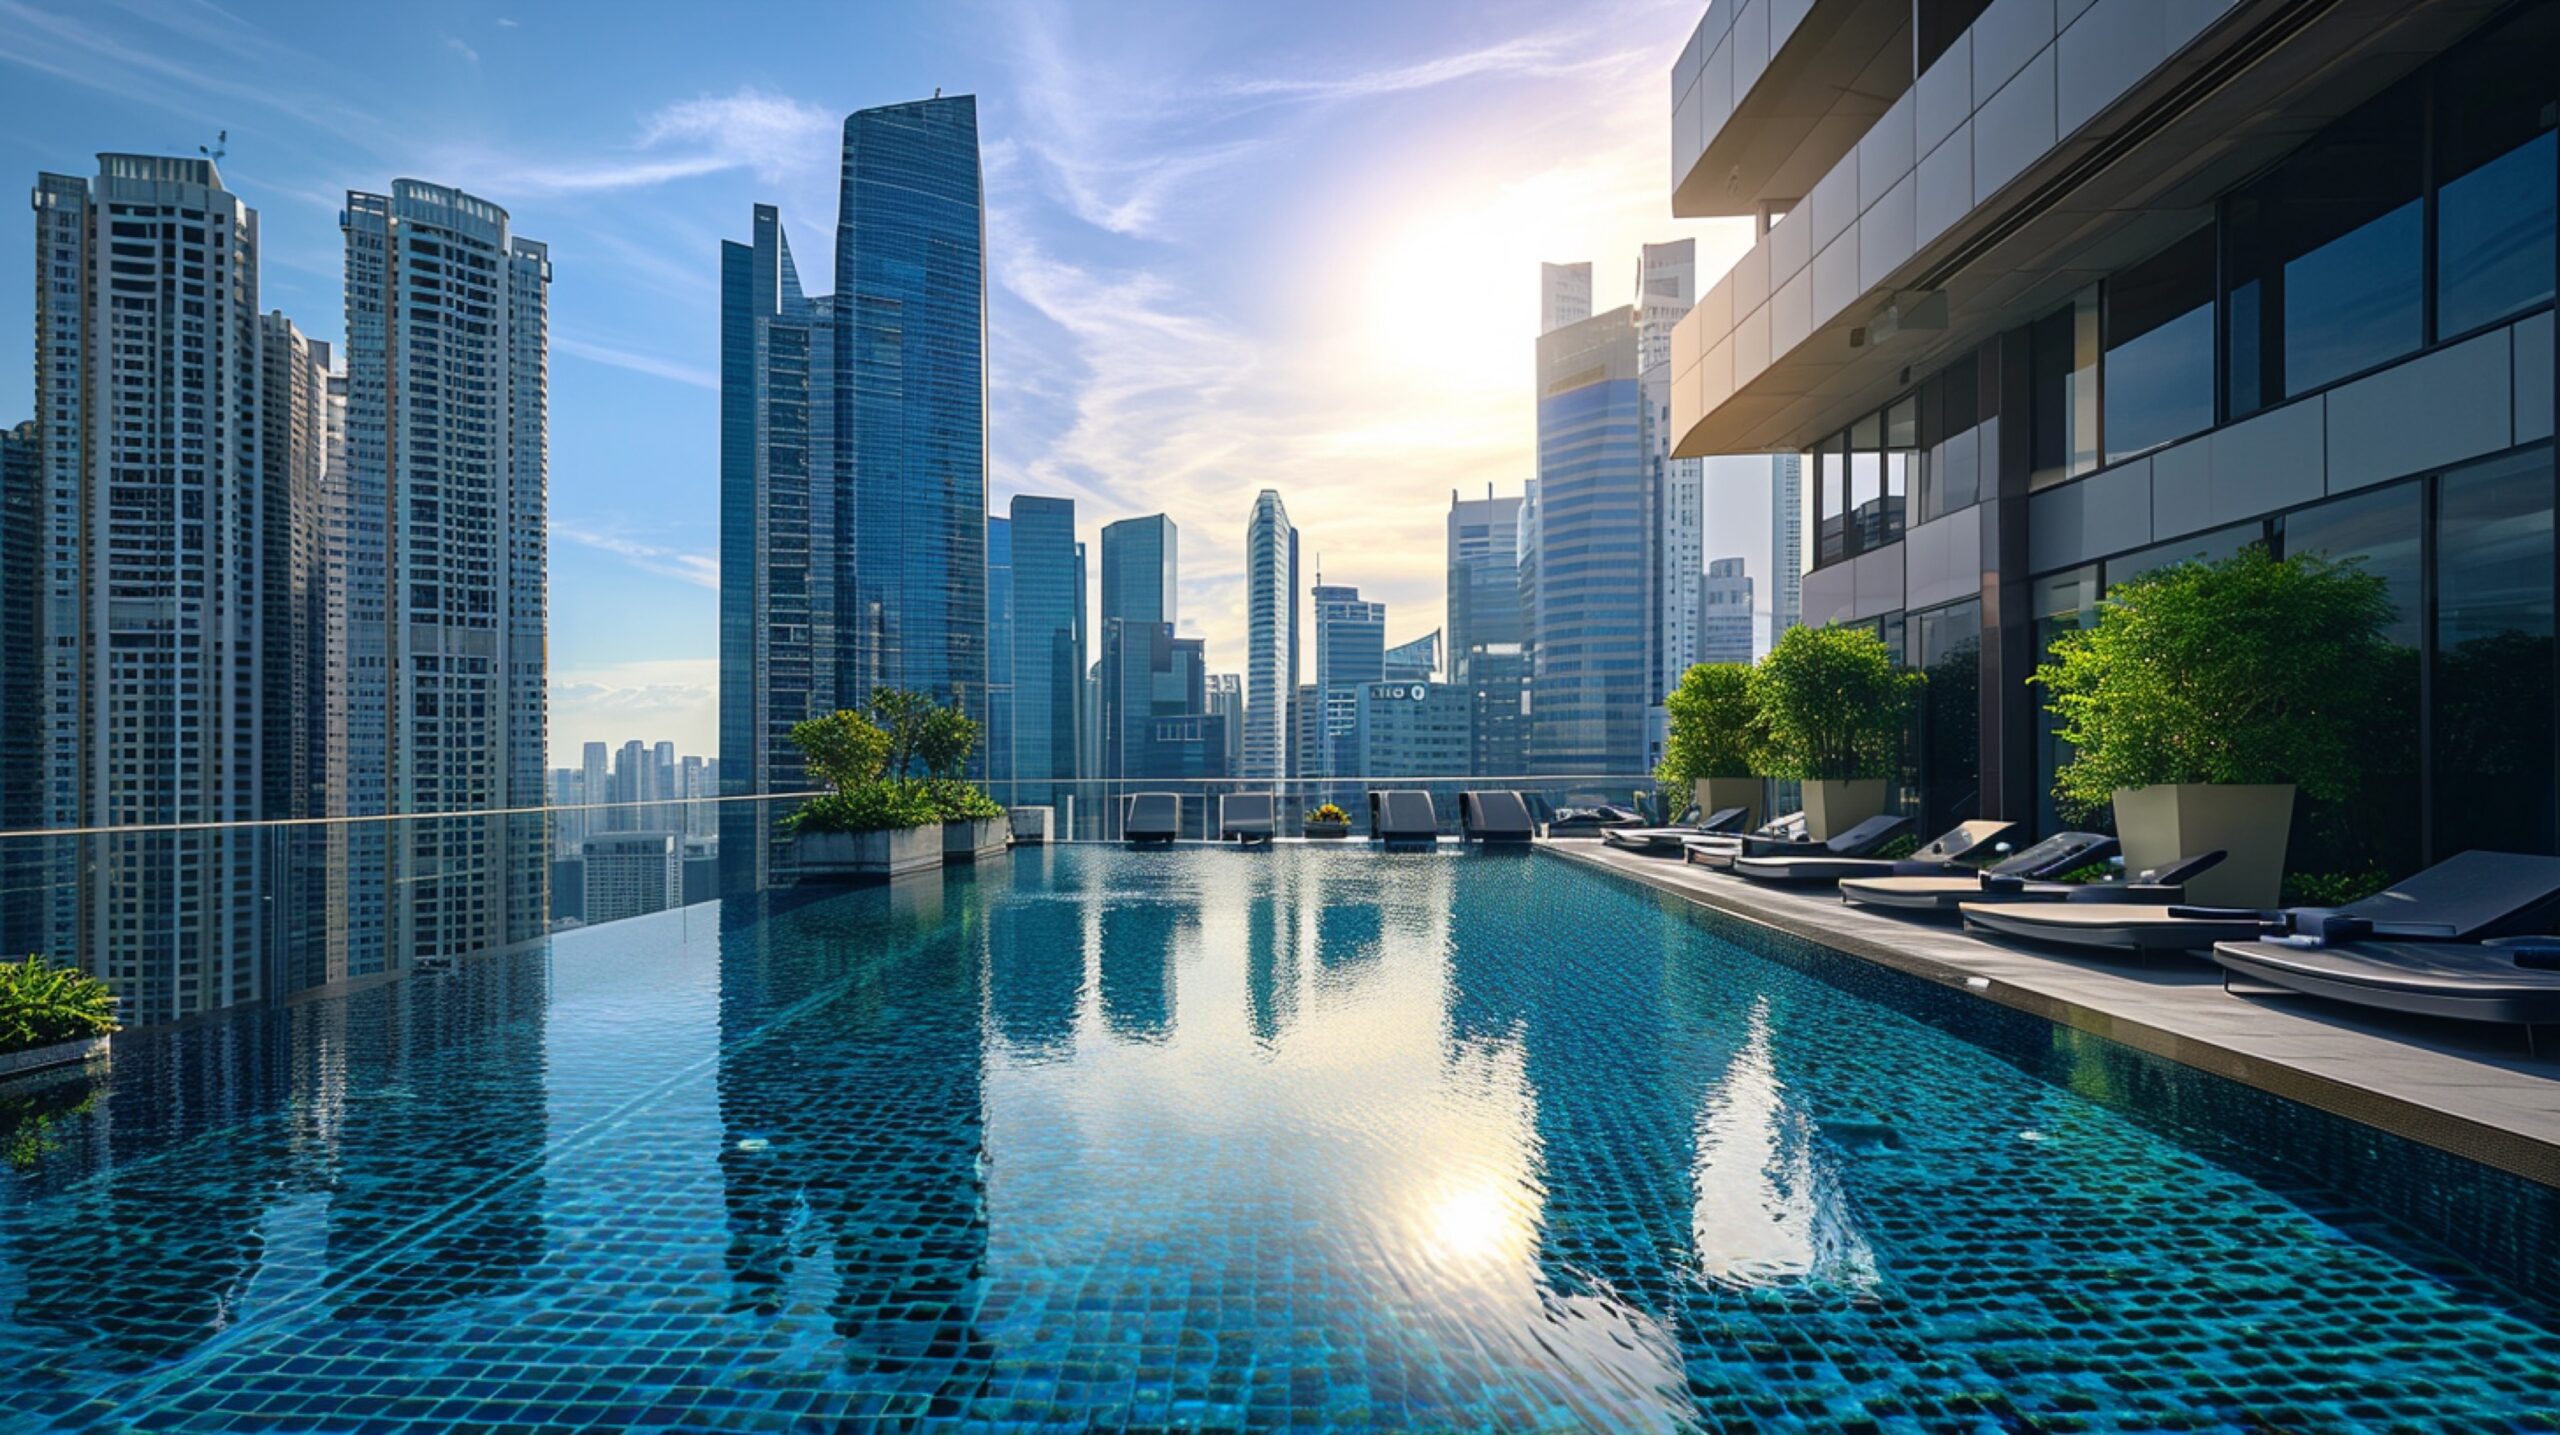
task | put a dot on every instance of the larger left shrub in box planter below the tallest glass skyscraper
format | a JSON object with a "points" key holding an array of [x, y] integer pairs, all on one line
{"points": [[864, 825]]}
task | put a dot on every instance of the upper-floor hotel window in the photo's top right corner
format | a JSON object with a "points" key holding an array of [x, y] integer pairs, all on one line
{"points": [[2495, 162]]}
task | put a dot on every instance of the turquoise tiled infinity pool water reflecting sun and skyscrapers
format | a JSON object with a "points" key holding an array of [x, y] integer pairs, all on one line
{"points": [[1184, 1140]]}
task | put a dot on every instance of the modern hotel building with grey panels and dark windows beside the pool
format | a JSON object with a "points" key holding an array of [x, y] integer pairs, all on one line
{"points": [[2054, 293]]}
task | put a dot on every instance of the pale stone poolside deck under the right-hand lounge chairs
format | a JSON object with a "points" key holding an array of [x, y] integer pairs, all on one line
{"points": [[2456, 1086]]}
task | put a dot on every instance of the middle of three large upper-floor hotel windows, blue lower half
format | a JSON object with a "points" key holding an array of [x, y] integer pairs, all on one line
{"points": [[2326, 262]]}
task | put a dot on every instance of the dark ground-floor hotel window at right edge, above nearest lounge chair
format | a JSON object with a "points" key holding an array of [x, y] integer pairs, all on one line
{"points": [[2495, 656]]}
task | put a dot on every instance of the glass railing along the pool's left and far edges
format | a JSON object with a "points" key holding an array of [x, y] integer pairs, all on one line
{"points": [[186, 920]]}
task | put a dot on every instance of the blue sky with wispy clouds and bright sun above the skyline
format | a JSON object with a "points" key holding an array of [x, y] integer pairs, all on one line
{"points": [[1233, 247]]}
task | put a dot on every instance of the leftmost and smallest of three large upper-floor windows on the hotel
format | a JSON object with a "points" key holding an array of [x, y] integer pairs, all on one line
{"points": [[2159, 377]]}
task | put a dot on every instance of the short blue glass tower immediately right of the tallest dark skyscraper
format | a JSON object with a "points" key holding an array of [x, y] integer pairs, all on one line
{"points": [[1048, 664]]}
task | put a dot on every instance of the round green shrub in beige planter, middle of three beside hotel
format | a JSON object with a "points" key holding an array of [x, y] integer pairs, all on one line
{"points": [[1837, 710]]}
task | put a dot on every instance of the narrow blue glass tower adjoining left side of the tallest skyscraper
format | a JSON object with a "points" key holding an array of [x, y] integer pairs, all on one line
{"points": [[780, 554]]}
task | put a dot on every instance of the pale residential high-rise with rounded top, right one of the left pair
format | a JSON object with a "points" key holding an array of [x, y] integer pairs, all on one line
{"points": [[447, 357]]}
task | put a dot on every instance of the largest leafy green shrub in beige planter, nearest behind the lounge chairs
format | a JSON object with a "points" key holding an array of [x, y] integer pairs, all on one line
{"points": [[2205, 697]]}
